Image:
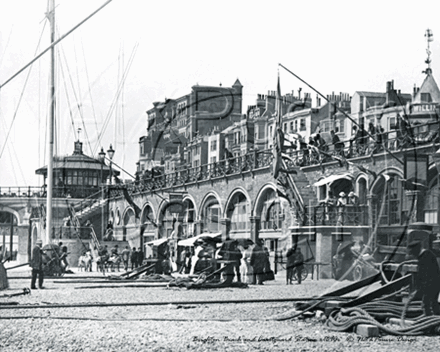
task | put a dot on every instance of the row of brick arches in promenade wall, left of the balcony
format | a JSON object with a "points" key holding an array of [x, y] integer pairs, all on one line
{"points": [[212, 213]]}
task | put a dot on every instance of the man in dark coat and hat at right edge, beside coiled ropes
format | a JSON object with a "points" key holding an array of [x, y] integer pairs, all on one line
{"points": [[427, 279]]}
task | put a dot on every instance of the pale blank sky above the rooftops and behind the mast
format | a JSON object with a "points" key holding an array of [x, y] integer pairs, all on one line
{"points": [[133, 53]]}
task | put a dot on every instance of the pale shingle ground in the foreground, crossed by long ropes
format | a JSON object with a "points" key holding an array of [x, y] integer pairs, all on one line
{"points": [[177, 327]]}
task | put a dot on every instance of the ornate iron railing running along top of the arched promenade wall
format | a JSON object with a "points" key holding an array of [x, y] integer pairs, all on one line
{"points": [[421, 135]]}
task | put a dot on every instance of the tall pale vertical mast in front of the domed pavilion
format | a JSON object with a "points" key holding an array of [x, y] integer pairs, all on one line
{"points": [[50, 130]]}
